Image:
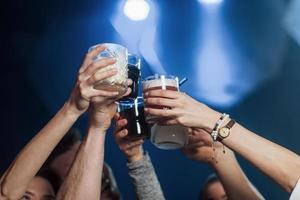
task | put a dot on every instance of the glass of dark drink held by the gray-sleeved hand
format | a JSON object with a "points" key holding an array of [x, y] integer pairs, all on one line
{"points": [[133, 111]]}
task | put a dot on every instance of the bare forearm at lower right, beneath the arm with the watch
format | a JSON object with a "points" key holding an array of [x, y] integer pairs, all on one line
{"points": [[235, 182]]}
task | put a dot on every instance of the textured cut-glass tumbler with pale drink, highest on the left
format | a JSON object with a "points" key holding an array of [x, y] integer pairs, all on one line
{"points": [[118, 82]]}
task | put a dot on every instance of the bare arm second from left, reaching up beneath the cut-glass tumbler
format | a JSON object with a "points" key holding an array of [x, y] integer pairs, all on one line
{"points": [[84, 178]]}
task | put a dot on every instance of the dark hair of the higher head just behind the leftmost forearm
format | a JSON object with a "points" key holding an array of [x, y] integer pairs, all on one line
{"points": [[72, 137]]}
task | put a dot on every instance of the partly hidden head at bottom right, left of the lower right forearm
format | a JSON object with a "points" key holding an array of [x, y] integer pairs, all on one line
{"points": [[213, 189]]}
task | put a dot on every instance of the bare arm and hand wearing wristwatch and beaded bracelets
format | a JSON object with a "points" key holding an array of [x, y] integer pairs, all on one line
{"points": [[279, 163]]}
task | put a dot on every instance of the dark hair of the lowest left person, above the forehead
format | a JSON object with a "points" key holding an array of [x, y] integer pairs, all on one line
{"points": [[50, 176]]}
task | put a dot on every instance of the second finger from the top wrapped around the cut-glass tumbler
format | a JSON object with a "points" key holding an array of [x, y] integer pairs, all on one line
{"points": [[94, 66]]}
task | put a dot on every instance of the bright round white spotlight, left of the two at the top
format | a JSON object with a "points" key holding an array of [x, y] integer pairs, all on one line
{"points": [[136, 10]]}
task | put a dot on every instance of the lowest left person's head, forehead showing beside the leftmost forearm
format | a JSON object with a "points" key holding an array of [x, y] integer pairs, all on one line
{"points": [[43, 186]]}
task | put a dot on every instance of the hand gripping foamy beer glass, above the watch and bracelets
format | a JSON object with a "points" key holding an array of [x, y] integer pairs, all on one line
{"points": [[183, 109]]}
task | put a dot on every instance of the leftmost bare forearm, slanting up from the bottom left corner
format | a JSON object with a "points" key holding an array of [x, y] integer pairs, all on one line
{"points": [[34, 154]]}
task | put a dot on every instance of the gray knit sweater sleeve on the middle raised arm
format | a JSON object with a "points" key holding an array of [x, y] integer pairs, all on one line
{"points": [[147, 186]]}
